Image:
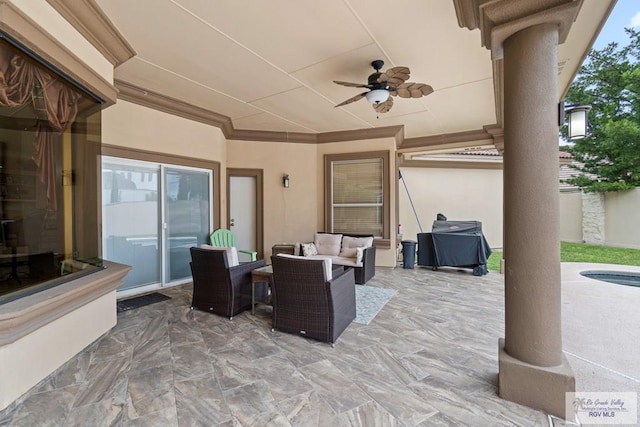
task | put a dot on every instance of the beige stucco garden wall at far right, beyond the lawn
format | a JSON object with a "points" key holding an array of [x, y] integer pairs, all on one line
{"points": [[623, 219]]}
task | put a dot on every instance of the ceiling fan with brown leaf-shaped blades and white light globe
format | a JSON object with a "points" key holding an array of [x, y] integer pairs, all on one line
{"points": [[381, 85]]}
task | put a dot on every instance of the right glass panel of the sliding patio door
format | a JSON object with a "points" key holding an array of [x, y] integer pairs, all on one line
{"points": [[186, 217]]}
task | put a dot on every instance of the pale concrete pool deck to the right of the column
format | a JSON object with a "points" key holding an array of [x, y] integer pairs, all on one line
{"points": [[601, 329]]}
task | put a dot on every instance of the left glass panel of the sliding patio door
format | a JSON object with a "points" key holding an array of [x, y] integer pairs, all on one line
{"points": [[130, 218]]}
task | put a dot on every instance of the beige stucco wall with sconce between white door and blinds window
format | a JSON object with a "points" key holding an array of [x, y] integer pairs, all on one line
{"points": [[290, 214]]}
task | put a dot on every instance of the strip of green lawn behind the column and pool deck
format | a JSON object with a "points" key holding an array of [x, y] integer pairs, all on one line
{"points": [[579, 252]]}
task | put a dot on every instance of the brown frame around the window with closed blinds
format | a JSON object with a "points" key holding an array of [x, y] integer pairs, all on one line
{"points": [[386, 188]]}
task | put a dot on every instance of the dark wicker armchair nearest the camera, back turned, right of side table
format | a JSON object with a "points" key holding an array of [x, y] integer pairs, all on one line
{"points": [[304, 303]]}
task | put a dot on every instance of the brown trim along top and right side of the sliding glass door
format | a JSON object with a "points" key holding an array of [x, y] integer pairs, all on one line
{"points": [[150, 156]]}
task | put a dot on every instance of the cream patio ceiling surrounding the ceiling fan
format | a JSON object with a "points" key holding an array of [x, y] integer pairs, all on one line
{"points": [[270, 65]]}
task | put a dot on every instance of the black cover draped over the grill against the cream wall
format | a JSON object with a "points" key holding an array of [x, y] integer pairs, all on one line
{"points": [[454, 244]]}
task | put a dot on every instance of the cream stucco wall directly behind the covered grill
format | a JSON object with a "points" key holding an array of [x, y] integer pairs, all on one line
{"points": [[460, 194]]}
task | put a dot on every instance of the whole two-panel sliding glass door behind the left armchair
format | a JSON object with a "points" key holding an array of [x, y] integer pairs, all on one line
{"points": [[152, 214]]}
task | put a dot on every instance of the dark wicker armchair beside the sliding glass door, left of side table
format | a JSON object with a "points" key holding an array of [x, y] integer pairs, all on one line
{"points": [[221, 289]]}
